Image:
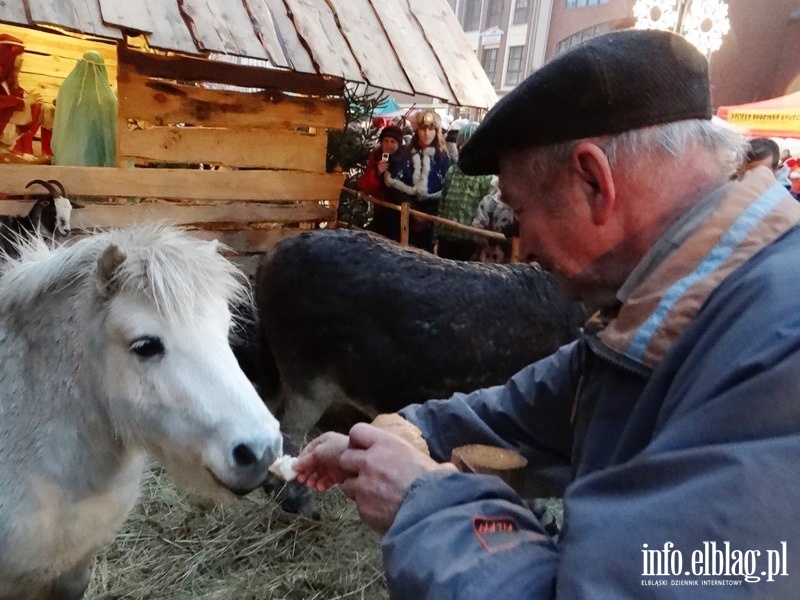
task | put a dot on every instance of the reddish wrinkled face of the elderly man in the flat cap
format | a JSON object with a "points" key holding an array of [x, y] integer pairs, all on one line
{"points": [[572, 225]]}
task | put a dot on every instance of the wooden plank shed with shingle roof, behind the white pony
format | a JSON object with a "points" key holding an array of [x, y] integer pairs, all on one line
{"points": [[224, 105]]}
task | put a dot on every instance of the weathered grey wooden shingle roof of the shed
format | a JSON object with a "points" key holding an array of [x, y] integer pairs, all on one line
{"points": [[411, 46]]}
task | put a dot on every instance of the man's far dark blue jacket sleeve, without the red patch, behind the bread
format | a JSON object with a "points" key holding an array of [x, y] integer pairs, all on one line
{"points": [[530, 413]]}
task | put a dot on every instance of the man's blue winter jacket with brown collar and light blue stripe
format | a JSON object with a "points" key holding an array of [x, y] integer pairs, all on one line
{"points": [[678, 418]]}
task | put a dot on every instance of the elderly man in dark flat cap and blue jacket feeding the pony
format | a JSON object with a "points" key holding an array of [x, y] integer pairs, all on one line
{"points": [[677, 412]]}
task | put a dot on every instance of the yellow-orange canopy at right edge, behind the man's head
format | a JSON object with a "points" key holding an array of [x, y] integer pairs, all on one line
{"points": [[776, 117]]}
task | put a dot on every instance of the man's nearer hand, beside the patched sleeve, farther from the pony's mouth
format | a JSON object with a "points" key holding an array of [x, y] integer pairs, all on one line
{"points": [[383, 466]]}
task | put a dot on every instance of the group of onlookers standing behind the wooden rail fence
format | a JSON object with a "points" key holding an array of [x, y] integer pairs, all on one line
{"points": [[420, 168]]}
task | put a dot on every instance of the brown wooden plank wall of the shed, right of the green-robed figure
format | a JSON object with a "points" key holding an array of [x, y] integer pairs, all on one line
{"points": [[264, 154]]}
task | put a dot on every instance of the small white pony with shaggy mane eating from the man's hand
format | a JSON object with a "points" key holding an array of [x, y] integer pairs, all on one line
{"points": [[111, 349]]}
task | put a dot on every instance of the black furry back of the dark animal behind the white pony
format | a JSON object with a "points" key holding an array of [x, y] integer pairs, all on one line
{"points": [[400, 326]]}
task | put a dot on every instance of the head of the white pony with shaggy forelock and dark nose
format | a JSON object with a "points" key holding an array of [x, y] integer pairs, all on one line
{"points": [[172, 381]]}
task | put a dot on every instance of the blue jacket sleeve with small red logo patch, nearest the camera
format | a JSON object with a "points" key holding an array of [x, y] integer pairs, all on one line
{"points": [[461, 536]]}
